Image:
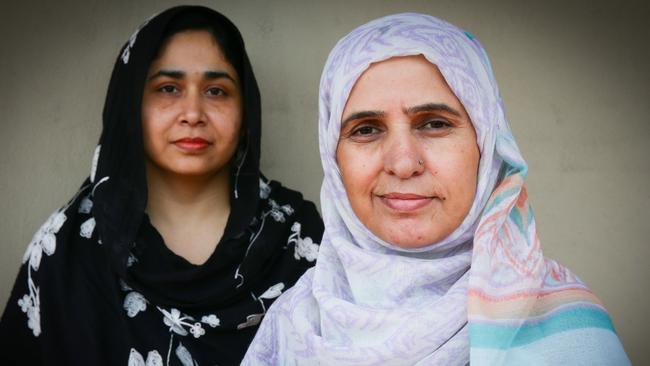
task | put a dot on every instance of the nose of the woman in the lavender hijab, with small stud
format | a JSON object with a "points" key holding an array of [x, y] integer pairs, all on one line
{"points": [[402, 156]]}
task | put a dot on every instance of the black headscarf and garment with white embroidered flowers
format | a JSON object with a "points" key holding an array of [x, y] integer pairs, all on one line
{"points": [[98, 284]]}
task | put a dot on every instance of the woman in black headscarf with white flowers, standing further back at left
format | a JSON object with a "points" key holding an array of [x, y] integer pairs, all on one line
{"points": [[175, 246]]}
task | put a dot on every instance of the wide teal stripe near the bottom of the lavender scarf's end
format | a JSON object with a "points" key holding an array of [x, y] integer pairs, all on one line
{"points": [[503, 337]]}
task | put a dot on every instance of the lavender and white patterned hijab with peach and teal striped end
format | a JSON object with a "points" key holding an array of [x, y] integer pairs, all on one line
{"points": [[368, 302]]}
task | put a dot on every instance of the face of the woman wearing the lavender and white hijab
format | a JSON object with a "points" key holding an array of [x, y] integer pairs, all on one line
{"points": [[407, 153]]}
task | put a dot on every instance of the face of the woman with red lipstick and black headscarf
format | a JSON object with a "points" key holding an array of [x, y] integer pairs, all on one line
{"points": [[191, 107]]}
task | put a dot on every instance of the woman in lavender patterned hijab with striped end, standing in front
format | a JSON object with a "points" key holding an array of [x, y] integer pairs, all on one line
{"points": [[430, 254]]}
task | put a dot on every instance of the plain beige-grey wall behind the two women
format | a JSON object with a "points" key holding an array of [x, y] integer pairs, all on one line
{"points": [[573, 74]]}
